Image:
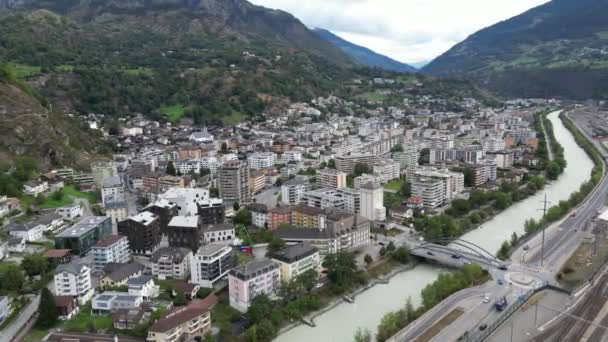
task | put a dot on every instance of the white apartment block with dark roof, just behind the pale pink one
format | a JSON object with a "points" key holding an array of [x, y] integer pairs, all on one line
{"points": [[297, 259]]}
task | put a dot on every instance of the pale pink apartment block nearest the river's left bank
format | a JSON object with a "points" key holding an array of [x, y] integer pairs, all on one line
{"points": [[250, 280]]}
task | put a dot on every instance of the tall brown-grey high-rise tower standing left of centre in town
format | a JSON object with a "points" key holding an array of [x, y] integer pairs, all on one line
{"points": [[233, 182]]}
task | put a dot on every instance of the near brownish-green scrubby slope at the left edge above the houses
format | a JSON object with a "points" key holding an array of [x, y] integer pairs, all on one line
{"points": [[28, 128]]}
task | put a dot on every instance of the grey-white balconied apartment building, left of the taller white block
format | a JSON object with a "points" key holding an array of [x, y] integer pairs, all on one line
{"points": [[171, 263]]}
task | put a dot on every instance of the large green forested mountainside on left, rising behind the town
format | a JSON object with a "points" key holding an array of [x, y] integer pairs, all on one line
{"points": [[213, 60]]}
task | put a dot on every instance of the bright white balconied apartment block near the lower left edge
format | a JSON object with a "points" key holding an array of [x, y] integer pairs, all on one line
{"points": [[74, 280]]}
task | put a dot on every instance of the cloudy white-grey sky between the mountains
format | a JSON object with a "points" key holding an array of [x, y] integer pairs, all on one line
{"points": [[410, 31]]}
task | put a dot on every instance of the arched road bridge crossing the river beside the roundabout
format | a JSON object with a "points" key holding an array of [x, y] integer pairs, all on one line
{"points": [[455, 253]]}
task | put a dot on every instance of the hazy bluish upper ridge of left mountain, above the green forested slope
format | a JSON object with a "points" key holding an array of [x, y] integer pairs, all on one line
{"points": [[238, 19]]}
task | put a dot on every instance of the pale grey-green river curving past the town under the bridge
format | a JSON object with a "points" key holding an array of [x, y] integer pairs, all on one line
{"points": [[341, 323]]}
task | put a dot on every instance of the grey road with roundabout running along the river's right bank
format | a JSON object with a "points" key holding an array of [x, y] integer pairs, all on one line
{"points": [[561, 240]]}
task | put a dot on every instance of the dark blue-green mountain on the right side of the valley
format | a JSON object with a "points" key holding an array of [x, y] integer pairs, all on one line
{"points": [[559, 49]]}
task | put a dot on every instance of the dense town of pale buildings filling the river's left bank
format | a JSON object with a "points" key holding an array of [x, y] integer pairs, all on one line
{"points": [[192, 230]]}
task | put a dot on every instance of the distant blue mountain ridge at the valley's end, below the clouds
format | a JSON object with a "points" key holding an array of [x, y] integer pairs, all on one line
{"points": [[364, 55]]}
